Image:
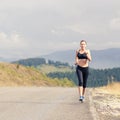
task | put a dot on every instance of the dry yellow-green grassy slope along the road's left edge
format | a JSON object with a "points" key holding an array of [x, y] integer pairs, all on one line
{"points": [[18, 75]]}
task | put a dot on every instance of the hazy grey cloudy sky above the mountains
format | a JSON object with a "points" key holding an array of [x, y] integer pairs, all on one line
{"points": [[30, 28]]}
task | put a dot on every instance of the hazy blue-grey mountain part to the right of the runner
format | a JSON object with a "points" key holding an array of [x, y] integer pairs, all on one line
{"points": [[107, 58]]}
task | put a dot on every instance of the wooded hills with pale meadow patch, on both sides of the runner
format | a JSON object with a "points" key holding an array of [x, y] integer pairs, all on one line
{"points": [[97, 77]]}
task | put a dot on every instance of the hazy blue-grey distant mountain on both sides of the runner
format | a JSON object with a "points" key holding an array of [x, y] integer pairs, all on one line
{"points": [[106, 58]]}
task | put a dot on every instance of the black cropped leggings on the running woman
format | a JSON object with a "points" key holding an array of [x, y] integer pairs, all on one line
{"points": [[82, 74]]}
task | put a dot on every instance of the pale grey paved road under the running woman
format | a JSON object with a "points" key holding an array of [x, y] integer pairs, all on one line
{"points": [[43, 103]]}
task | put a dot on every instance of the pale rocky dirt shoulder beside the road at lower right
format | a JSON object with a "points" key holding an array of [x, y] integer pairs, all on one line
{"points": [[107, 104]]}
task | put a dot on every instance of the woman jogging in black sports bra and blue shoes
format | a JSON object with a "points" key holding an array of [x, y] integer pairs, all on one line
{"points": [[82, 59]]}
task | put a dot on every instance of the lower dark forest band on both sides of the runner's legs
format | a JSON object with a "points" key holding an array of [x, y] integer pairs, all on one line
{"points": [[96, 77]]}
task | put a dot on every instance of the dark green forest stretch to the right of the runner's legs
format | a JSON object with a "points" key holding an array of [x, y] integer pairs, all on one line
{"points": [[101, 77]]}
